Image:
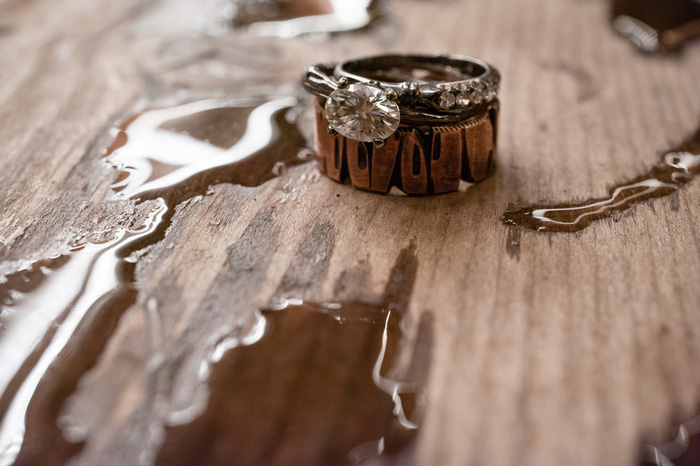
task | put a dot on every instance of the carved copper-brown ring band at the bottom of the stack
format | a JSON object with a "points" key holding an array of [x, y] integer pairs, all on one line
{"points": [[418, 160]]}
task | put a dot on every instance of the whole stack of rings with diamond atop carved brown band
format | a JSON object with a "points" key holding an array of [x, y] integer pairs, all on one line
{"points": [[421, 123]]}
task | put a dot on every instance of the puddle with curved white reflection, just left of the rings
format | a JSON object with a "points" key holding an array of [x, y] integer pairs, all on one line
{"points": [[177, 153]]}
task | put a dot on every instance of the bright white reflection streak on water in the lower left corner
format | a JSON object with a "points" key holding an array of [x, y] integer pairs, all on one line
{"points": [[93, 270]]}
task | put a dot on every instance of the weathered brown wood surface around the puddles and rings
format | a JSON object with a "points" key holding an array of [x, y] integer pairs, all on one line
{"points": [[547, 349]]}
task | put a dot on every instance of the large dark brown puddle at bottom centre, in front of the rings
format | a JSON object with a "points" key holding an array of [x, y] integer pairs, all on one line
{"points": [[311, 384]]}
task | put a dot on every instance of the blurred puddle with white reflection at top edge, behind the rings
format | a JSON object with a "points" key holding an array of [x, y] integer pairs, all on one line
{"points": [[291, 18]]}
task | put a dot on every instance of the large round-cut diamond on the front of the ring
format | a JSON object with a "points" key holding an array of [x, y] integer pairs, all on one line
{"points": [[362, 112]]}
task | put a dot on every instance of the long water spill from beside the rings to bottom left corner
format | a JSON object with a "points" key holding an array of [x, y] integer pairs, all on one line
{"points": [[58, 316]]}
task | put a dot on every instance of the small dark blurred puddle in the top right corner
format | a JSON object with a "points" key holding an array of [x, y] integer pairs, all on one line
{"points": [[657, 26]]}
